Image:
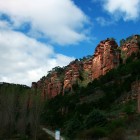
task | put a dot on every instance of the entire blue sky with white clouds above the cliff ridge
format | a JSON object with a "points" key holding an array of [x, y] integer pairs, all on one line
{"points": [[37, 35]]}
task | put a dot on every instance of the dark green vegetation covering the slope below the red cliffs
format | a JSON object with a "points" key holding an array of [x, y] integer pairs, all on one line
{"points": [[97, 110]]}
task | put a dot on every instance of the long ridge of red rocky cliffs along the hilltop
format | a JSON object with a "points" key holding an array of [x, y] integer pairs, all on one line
{"points": [[107, 56]]}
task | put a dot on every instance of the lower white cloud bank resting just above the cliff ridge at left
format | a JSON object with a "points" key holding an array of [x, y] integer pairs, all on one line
{"points": [[24, 60]]}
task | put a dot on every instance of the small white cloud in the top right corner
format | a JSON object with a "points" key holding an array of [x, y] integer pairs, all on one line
{"points": [[126, 9]]}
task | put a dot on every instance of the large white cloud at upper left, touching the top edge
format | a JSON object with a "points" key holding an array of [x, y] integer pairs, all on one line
{"points": [[59, 20]]}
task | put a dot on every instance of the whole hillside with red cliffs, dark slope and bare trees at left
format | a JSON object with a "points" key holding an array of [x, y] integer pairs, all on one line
{"points": [[93, 97]]}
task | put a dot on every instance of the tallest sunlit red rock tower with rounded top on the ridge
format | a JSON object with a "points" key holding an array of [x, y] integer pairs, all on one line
{"points": [[105, 58]]}
